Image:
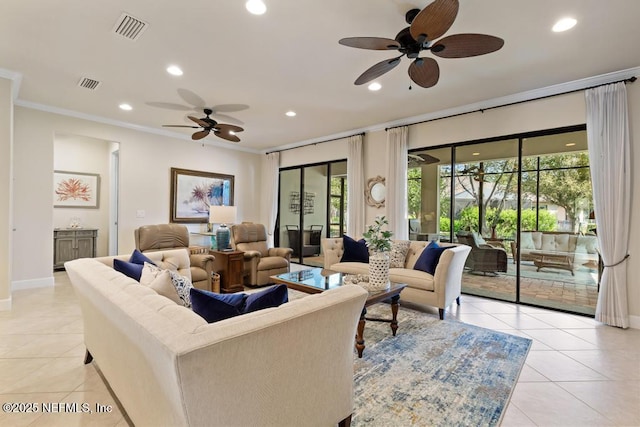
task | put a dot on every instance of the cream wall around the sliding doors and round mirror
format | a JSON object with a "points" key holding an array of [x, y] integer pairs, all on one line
{"points": [[549, 113]]}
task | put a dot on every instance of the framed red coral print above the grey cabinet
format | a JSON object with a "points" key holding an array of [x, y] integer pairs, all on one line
{"points": [[76, 190]]}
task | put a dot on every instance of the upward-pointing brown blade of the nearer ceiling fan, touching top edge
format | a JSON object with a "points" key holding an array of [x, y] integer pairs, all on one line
{"points": [[435, 19]]}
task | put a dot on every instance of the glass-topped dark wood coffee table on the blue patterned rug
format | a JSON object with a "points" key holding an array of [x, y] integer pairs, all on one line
{"points": [[316, 280]]}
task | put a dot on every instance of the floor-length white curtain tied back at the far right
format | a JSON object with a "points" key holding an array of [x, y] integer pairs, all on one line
{"points": [[609, 157]]}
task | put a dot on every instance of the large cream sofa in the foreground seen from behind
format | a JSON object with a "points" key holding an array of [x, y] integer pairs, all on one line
{"points": [[291, 365]]}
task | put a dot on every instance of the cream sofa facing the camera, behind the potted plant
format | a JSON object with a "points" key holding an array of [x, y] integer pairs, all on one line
{"points": [[422, 288]]}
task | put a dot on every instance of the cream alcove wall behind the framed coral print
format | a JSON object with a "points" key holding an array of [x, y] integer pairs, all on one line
{"points": [[74, 153]]}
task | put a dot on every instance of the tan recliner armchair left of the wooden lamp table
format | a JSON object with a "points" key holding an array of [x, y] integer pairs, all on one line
{"points": [[159, 237]]}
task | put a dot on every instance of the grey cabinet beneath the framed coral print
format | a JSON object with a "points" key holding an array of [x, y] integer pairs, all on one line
{"points": [[70, 243]]}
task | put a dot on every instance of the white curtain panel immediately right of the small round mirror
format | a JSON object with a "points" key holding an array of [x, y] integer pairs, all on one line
{"points": [[396, 182]]}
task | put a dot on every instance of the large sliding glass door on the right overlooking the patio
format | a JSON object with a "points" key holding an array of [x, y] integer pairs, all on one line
{"points": [[524, 205]]}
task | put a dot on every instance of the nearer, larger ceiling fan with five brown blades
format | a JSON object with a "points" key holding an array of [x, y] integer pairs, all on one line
{"points": [[426, 26]]}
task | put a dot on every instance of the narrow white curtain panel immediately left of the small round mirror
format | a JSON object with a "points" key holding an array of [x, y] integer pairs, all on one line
{"points": [[355, 186]]}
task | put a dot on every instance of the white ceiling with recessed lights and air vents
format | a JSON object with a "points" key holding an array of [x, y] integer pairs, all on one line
{"points": [[289, 58]]}
